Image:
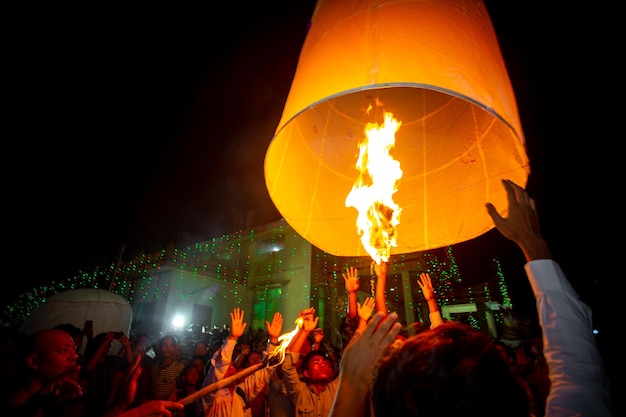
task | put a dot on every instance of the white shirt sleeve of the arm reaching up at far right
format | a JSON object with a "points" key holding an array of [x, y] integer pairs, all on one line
{"points": [[578, 382]]}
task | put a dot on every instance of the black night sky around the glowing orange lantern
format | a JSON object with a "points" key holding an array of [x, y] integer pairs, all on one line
{"points": [[138, 127]]}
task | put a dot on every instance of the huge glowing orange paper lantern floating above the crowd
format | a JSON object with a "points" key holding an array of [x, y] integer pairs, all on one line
{"points": [[437, 67]]}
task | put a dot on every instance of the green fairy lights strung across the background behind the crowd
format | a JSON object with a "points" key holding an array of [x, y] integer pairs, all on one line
{"points": [[234, 261]]}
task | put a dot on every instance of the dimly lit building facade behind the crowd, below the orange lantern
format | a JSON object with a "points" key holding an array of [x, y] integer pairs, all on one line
{"points": [[271, 268]]}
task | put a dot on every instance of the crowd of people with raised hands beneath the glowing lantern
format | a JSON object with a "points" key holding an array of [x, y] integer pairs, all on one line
{"points": [[447, 368]]}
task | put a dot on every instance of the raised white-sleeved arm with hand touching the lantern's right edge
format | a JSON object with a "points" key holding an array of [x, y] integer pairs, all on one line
{"points": [[578, 382]]}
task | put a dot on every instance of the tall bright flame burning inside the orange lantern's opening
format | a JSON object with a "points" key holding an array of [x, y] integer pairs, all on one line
{"points": [[373, 190]]}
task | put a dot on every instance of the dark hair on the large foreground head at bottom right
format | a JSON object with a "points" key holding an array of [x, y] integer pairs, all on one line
{"points": [[453, 369]]}
